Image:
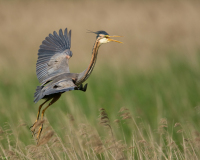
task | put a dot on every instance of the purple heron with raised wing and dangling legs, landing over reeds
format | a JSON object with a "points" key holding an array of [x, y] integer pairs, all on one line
{"points": [[53, 71]]}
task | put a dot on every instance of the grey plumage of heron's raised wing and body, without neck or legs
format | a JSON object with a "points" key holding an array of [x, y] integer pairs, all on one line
{"points": [[53, 62]]}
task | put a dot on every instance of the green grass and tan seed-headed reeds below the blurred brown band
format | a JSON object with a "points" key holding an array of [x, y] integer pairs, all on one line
{"points": [[149, 115]]}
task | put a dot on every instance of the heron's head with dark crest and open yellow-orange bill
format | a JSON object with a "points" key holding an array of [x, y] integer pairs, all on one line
{"points": [[105, 37]]}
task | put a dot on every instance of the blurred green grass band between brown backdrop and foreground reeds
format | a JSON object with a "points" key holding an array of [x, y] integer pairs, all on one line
{"points": [[171, 93]]}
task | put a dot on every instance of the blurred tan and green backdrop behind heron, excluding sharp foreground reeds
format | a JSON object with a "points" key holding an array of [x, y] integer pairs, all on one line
{"points": [[154, 73]]}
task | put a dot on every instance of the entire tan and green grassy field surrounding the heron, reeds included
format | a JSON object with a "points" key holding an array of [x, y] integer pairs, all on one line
{"points": [[142, 100]]}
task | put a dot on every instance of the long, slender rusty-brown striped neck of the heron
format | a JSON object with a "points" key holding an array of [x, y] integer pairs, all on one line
{"points": [[83, 76]]}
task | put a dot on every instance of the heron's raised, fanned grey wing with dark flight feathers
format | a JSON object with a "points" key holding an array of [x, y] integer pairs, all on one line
{"points": [[53, 56]]}
